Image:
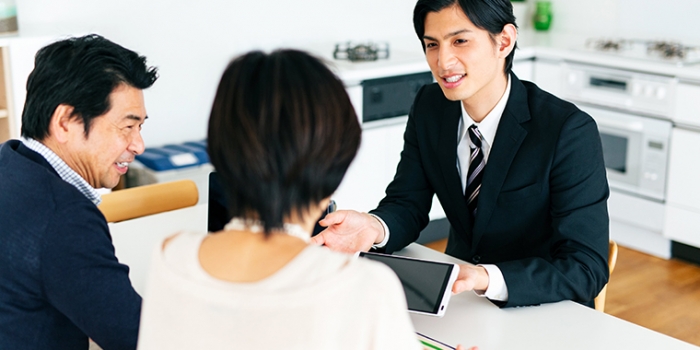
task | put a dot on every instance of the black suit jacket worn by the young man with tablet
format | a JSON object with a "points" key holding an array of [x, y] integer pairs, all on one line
{"points": [[542, 213]]}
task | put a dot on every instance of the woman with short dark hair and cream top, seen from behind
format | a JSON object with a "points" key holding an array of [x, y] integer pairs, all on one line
{"points": [[282, 133]]}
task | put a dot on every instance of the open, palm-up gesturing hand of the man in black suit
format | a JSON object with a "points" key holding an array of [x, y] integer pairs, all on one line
{"points": [[349, 231]]}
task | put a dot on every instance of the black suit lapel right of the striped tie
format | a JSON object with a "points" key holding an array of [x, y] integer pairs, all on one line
{"points": [[509, 136]]}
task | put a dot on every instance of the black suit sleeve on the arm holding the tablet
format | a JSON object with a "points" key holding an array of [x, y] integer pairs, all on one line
{"points": [[579, 221]]}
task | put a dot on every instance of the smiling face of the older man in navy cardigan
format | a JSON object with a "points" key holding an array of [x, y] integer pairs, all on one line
{"points": [[114, 139]]}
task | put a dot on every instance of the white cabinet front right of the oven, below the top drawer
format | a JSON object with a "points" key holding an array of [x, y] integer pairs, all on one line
{"points": [[683, 203]]}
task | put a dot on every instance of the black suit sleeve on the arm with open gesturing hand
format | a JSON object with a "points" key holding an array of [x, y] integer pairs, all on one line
{"points": [[409, 196]]}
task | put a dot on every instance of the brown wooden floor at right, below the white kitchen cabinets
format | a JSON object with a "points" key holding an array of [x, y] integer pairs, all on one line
{"points": [[659, 294]]}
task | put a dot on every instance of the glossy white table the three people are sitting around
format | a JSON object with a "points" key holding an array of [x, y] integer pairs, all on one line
{"points": [[469, 320]]}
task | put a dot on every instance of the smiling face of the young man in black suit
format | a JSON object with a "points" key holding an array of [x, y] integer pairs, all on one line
{"points": [[464, 59]]}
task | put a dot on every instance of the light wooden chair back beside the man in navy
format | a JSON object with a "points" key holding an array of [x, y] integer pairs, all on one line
{"points": [[145, 200]]}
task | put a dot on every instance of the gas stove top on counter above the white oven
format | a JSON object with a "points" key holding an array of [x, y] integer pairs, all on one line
{"points": [[672, 52]]}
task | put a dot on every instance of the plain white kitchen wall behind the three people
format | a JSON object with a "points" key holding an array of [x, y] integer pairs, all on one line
{"points": [[192, 41]]}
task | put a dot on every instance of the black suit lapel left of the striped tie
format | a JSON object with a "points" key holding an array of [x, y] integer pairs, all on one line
{"points": [[449, 123]]}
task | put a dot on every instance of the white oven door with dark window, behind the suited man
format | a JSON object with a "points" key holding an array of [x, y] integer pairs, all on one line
{"points": [[635, 151]]}
